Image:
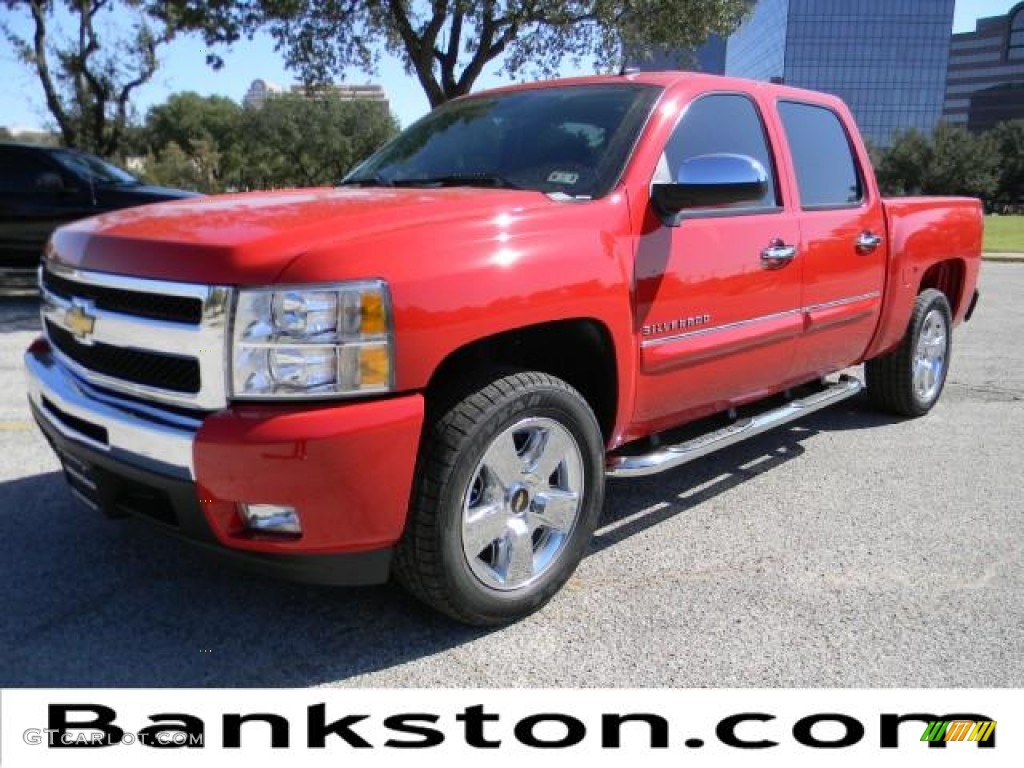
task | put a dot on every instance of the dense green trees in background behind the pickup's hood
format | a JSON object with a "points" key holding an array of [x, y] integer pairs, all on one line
{"points": [[211, 145]]}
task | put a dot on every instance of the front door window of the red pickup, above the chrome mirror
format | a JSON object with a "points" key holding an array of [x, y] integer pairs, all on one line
{"points": [[721, 123]]}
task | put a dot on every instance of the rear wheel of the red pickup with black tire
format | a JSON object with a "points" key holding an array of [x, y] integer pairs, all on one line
{"points": [[891, 382]]}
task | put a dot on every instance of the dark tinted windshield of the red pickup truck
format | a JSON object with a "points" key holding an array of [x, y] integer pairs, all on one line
{"points": [[572, 141]]}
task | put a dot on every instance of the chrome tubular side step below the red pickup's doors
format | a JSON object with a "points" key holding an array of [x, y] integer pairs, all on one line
{"points": [[670, 457]]}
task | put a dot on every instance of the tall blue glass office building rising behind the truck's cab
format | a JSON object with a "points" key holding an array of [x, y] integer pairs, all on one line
{"points": [[886, 59]]}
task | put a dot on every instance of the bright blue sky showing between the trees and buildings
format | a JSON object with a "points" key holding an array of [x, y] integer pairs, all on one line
{"points": [[184, 68]]}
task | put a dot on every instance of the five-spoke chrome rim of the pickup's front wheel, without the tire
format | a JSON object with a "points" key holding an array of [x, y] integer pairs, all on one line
{"points": [[523, 503]]}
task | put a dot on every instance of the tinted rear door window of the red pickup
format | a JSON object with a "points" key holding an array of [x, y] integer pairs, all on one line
{"points": [[827, 170]]}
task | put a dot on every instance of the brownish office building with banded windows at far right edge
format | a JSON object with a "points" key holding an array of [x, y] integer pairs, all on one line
{"points": [[987, 73]]}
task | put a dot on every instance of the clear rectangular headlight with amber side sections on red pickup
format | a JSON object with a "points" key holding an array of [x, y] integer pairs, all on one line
{"points": [[313, 343]]}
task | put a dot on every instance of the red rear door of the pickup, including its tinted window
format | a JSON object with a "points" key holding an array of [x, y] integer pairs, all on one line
{"points": [[842, 226]]}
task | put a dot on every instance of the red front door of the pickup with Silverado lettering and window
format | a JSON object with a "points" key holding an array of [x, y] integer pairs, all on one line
{"points": [[718, 317]]}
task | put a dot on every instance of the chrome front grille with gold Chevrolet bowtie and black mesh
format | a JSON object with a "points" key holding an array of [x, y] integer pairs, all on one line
{"points": [[155, 340]]}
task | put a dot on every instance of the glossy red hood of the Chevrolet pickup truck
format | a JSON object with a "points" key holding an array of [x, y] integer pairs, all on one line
{"points": [[250, 239]]}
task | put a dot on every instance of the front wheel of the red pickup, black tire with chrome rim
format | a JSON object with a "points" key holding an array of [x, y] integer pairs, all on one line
{"points": [[464, 492]]}
